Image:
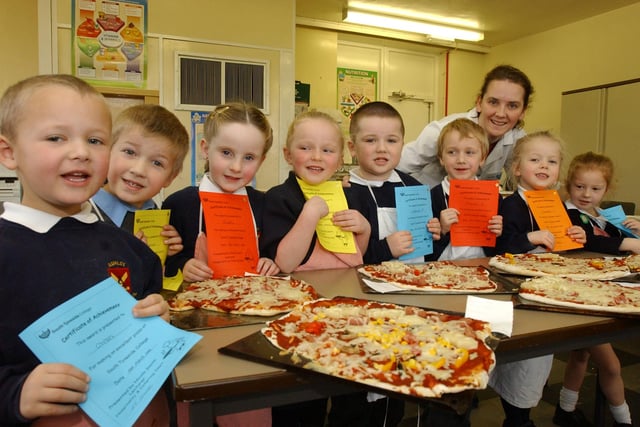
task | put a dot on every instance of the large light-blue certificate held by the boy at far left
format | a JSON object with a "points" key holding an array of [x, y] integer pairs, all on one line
{"points": [[127, 358]]}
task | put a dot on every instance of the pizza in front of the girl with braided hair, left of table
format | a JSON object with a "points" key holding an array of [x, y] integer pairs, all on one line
{"points": [[251, 295]]}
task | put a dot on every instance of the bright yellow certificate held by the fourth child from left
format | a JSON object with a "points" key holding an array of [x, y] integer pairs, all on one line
{"points": [[331, 238]]}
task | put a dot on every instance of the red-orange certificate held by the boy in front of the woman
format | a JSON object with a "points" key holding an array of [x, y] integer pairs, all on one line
{"points": [[476, 201]]}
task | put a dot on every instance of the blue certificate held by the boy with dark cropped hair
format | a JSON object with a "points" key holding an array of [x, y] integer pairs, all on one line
{"points": [[413, 207]]}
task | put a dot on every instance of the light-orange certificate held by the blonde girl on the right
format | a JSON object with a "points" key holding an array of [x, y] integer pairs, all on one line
{"points": [[550, 214]]}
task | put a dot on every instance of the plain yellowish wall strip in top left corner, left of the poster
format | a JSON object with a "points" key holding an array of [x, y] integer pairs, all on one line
{"points": [[19, 42]]}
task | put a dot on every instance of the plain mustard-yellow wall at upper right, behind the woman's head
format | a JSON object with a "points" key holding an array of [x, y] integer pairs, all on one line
{"points": [[591, 52]]}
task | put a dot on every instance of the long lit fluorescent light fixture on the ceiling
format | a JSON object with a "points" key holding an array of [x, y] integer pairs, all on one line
{"points": [[437, 31]]}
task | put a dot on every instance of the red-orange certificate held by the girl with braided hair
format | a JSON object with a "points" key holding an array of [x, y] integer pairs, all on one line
{"points": [[232, 246]]}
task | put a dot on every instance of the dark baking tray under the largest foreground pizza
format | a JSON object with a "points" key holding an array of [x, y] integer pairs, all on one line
{"points": [[257, 348]]}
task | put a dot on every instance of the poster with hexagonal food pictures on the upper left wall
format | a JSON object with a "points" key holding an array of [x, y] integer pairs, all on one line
{"points": [[109, 42]]}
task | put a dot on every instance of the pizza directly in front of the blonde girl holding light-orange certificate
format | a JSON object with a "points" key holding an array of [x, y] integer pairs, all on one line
{"points": [[550, 264]]}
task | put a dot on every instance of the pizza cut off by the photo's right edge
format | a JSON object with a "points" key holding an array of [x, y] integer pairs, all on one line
{"points": [[583, 294]]}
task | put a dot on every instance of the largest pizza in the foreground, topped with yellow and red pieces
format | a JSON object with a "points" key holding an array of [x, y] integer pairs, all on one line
{"points": [[402, 349]]}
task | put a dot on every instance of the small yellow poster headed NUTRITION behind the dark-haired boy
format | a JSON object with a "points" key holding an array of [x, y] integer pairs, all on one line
{"points": [[355, 87]]}
